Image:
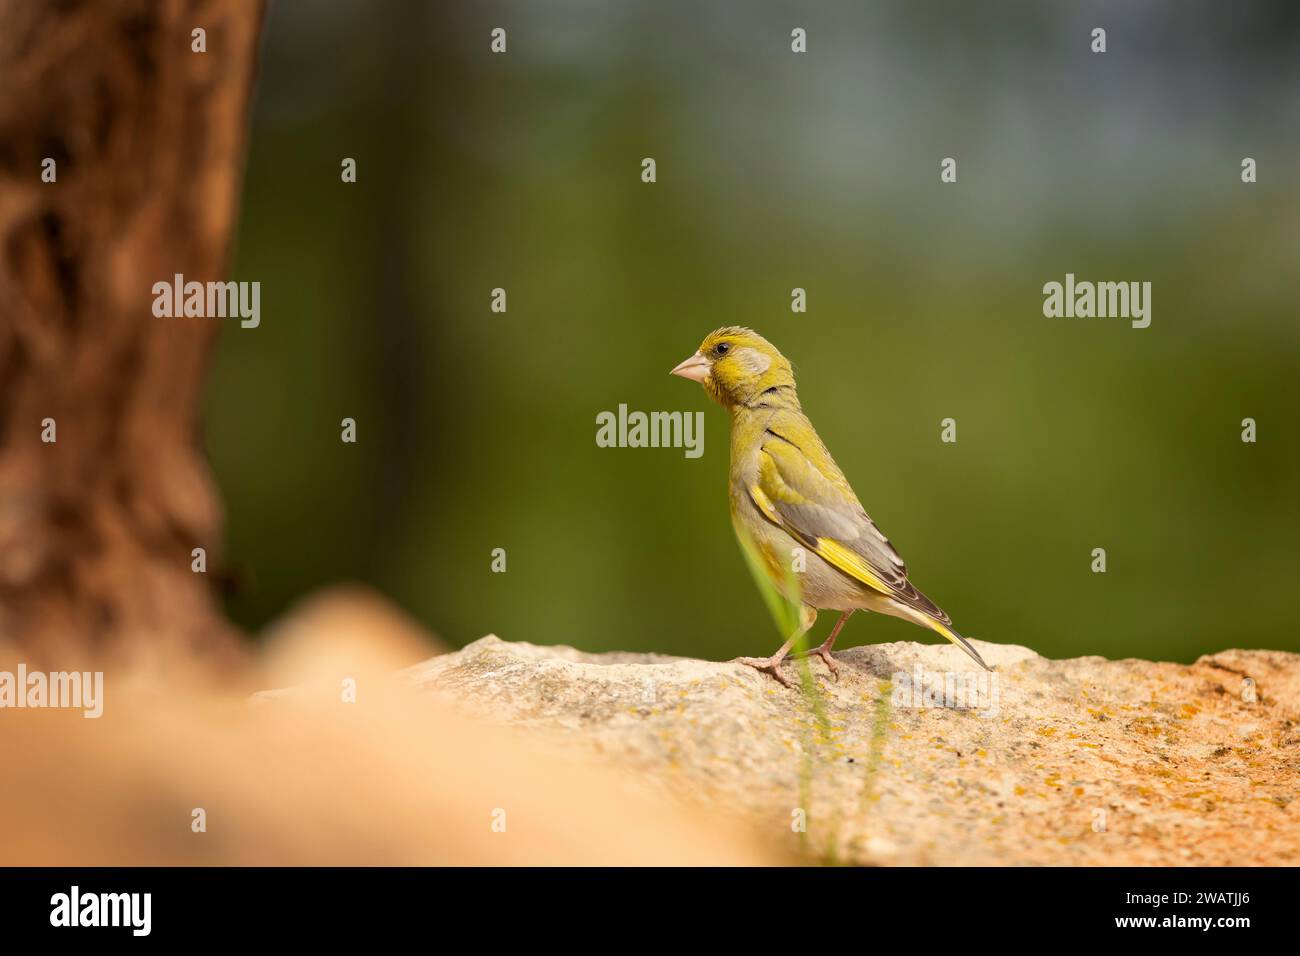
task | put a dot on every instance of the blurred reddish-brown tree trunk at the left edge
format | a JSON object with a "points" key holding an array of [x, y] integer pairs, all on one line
{"points": [[97, 529]]}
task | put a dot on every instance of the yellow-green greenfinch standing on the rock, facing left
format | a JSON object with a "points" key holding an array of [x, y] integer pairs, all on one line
{"points": [[788, 494]]}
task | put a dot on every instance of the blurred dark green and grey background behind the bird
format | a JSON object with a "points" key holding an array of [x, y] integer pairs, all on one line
{"points": [[522, 171]]}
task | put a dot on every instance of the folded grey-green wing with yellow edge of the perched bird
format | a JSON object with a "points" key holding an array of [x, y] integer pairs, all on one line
{"points": [[817, 507]]}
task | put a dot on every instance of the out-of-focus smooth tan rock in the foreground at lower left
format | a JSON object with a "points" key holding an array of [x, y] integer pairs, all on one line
{"points": [[304, 778]]}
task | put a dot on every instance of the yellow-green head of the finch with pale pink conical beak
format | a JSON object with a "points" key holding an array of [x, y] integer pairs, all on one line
{"points": [[738, 366]]}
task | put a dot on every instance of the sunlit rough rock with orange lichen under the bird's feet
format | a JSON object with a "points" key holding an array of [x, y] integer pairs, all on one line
{"points": [[1080, 763]]}
